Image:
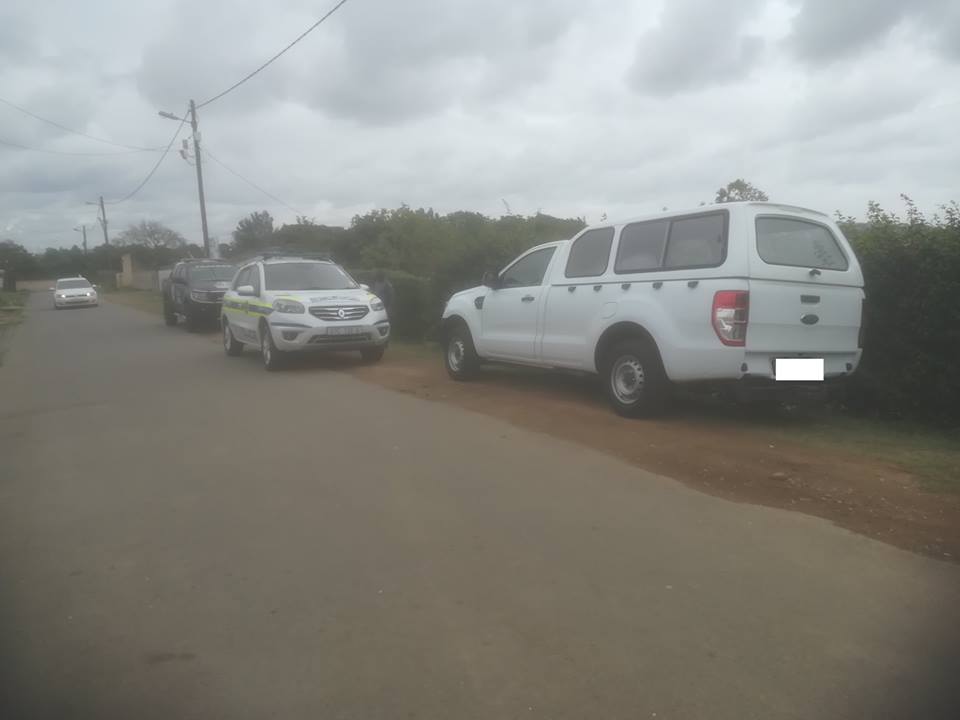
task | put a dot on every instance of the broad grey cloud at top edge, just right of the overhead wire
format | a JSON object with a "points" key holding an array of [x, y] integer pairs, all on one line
{"points": [[399, 61]]}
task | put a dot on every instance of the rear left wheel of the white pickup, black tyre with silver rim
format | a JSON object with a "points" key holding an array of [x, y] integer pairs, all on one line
{"points": [[634, 380]]}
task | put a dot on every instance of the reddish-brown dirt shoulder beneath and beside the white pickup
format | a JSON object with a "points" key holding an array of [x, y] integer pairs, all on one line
{"points": [[857, 474]]}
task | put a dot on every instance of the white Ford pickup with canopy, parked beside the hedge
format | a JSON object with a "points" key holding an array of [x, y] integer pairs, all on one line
{"points": [[742, 292]]}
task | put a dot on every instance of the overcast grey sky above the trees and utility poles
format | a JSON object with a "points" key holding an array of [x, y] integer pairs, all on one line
{"points": [[572, 107]]}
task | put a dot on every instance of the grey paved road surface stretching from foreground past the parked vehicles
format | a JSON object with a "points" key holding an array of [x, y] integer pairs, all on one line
{"points": [[183, 535]]}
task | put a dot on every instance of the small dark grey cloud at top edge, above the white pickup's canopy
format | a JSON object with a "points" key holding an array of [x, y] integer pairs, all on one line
{"points": [[696, 44]]}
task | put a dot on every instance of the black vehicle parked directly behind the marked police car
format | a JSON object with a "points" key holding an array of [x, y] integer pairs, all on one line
{"points": [[195, 290]]}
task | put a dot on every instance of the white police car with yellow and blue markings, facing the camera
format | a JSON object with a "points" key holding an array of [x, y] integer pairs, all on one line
{"points": [[284, 304]]}
